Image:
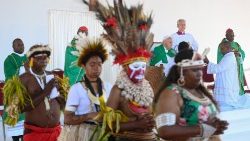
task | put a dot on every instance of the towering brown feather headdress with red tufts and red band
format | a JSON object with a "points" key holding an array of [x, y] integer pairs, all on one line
{"points": [[127, 29]]}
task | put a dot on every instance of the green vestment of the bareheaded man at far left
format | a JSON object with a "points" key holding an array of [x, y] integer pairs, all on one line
{"points": [[12, 66]]}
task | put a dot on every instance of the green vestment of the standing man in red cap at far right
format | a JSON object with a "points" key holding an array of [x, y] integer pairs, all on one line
{"points": [[236, 47]]}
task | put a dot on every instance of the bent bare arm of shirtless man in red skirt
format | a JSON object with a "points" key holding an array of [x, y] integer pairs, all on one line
{"points": [[37, 97]]}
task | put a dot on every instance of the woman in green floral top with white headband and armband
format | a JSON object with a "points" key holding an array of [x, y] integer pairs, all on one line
{"points": [[184, 109]]}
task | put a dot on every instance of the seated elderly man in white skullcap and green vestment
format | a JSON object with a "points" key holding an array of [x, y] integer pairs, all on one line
{"points": [[163, 55]]}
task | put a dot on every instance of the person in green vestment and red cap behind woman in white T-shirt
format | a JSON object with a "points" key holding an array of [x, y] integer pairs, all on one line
{"points": [[71, 69]]}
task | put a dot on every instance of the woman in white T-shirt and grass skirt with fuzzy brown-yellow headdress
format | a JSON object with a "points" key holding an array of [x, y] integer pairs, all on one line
{"points": [[83, 99]]}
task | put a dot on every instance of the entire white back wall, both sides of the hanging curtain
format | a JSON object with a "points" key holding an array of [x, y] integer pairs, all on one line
{"points": [[207, 20]]}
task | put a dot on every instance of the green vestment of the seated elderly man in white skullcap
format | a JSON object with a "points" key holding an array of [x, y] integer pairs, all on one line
{"points": [[160, 54]]}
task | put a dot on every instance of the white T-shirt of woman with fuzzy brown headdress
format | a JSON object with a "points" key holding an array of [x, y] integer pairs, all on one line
{"points": [[78, 97]]}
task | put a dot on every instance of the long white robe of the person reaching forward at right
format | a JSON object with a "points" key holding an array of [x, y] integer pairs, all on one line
{"points": [[227, 82]]}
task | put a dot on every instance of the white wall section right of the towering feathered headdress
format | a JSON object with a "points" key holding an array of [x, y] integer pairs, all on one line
{"points": [[207, 20]]}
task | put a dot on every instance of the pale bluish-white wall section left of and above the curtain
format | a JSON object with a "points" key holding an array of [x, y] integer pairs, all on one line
{"points": [[28, 20]]}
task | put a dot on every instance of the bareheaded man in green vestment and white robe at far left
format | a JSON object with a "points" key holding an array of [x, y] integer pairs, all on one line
{"points": [[14, 66]]}
